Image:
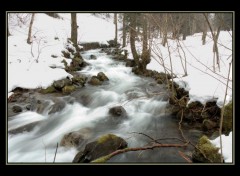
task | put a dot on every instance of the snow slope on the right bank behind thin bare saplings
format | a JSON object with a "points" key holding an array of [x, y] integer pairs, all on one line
{"points": [[202, 83]]}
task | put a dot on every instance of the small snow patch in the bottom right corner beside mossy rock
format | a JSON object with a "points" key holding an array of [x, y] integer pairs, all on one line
{"points": [[226, 146]]}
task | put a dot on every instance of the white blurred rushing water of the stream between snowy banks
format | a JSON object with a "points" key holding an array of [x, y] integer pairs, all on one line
{"points": [[89, 110]]}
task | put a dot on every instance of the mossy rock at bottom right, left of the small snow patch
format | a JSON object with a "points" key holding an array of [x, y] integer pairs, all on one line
{"points": [[206, 152]]}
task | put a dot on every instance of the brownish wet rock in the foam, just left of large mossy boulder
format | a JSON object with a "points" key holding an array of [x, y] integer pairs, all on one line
{"points": [[76, 138]]}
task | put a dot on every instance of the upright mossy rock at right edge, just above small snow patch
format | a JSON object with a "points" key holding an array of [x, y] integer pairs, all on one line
{"points": [[227, 119]]}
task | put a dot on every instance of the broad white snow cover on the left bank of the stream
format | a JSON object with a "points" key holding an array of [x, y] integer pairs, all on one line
{"points": [[31, 66]]}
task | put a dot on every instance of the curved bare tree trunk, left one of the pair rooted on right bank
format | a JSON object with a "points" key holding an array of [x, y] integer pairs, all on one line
{"points": [[133, 37]]}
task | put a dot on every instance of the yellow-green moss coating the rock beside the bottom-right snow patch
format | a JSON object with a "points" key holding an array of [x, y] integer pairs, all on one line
{"points": [[209, 150]]}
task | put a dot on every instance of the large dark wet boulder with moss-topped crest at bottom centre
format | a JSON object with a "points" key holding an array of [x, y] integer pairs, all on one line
{"points": [[103, 146]]}
